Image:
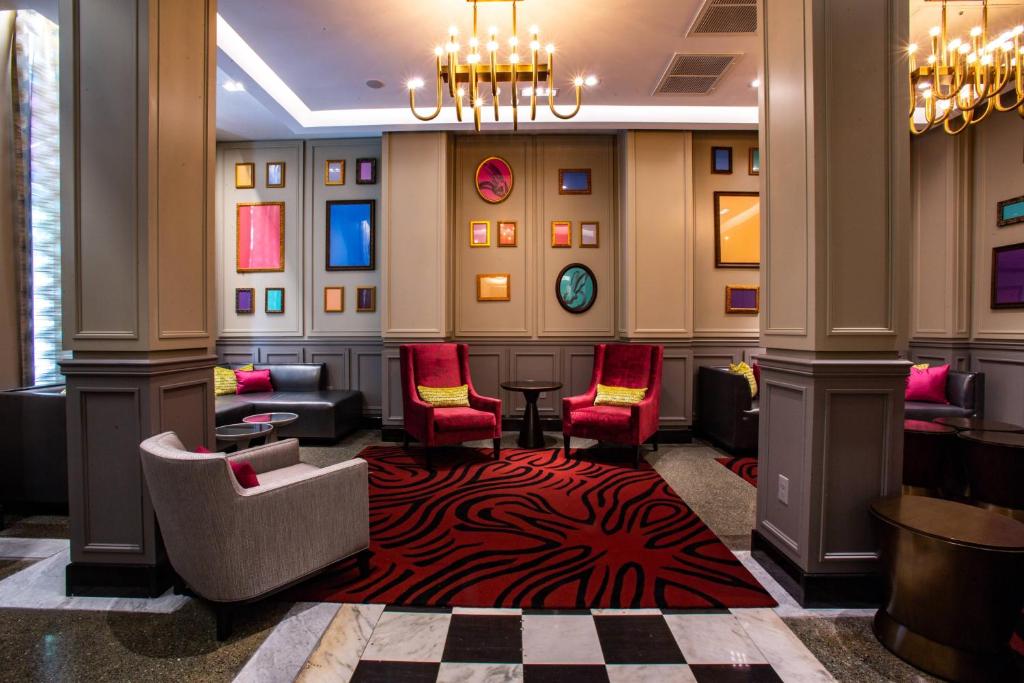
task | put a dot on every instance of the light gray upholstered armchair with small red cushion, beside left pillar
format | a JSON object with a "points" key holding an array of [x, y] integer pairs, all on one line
{"points": [[233, 545]]}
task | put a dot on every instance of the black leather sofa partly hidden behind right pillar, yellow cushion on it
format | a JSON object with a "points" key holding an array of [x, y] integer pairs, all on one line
{"points": [[727, 412]]}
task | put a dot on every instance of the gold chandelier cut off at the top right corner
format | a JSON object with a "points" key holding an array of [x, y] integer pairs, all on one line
{"points": [[963, 81]]}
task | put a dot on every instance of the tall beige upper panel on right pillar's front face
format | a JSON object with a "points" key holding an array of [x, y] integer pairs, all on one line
{"points": [[860, 274]]}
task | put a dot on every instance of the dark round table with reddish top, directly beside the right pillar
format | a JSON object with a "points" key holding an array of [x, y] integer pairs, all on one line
{"points": [[928, 458]]}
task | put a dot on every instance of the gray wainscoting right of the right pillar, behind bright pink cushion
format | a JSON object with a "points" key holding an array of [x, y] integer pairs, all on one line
{"points": [[1003, 363]]}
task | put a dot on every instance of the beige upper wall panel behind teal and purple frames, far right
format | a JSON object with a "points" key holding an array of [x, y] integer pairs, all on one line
{"points": [[999, 176]]}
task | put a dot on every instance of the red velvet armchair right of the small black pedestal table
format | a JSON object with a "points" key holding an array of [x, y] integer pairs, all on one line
{"points": [[623, 366]]}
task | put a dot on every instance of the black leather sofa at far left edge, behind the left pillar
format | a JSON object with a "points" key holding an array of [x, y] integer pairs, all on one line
{"points": [[34, 457]]}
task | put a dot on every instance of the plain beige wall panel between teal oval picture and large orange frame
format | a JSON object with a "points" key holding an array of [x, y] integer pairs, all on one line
{"points": [[660, 243]]}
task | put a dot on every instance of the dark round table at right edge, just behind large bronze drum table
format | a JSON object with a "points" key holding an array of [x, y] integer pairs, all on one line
{"points": [[995, 463]]}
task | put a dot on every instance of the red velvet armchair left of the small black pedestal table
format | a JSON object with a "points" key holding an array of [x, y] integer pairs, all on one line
{"points": [[445, 366]]}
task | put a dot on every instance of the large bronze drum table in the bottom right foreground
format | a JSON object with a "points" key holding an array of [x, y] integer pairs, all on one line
{"points": [[954, 587]]}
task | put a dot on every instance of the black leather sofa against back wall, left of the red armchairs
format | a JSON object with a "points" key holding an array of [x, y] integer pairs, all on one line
{"points": [[300, 389]]}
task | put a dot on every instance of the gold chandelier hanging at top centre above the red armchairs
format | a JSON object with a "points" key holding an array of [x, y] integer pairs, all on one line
{"points": [[483, 67]]}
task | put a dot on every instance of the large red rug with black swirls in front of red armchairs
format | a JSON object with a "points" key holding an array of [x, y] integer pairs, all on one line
{"points": [[533, 530]]}
